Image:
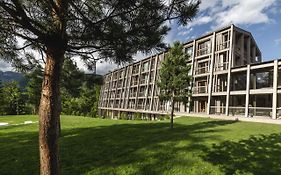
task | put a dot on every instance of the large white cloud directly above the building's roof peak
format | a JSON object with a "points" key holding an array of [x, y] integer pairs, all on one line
{"points": [[219, 13]]}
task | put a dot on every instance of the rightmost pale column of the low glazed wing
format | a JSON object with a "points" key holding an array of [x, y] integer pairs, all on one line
{"points": [[274, 95]]}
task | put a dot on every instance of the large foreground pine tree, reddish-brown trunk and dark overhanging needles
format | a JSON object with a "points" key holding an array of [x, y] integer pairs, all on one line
{"points": [[112, 30]]}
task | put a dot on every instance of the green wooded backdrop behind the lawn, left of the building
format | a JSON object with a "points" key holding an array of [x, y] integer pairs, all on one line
{"points": [[20, 93]]}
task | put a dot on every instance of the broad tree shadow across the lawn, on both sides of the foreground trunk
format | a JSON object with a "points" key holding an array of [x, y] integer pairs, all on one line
{"points": [[145, 148]]}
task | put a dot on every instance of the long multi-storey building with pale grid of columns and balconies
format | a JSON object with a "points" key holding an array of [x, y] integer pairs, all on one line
{"points": [[229, 78]]}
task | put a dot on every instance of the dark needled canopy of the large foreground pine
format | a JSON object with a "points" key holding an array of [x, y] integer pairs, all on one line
{"points": [[112, 29]]}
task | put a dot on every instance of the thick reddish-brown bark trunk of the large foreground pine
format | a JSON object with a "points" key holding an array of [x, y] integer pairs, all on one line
{"points": [[49, 112]]}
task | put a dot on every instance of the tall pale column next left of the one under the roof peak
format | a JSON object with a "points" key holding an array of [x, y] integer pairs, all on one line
{"points": [[211, 73]]}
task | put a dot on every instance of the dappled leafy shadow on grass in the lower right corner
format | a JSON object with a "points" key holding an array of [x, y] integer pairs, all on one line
{"points": [[257, 155]]}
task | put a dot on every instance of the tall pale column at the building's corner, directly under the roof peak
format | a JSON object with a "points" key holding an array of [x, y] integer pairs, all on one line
{"points": [[230, 58]]}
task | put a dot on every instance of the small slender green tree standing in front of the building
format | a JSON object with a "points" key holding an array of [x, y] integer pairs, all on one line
{"points": [[174, 79]]}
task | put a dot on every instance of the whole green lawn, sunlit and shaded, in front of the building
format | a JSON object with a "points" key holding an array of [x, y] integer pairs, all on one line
{"points": [[196, 146]]}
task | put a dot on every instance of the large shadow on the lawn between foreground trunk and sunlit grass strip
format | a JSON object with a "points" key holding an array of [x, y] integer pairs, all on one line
{"points": [[150, 148]]}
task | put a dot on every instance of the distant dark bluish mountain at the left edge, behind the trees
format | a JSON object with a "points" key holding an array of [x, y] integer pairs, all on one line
{"points": [[12, 76]]}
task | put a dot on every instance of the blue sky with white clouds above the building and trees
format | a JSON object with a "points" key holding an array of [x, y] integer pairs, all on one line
{"points": [[260, 17]]}
